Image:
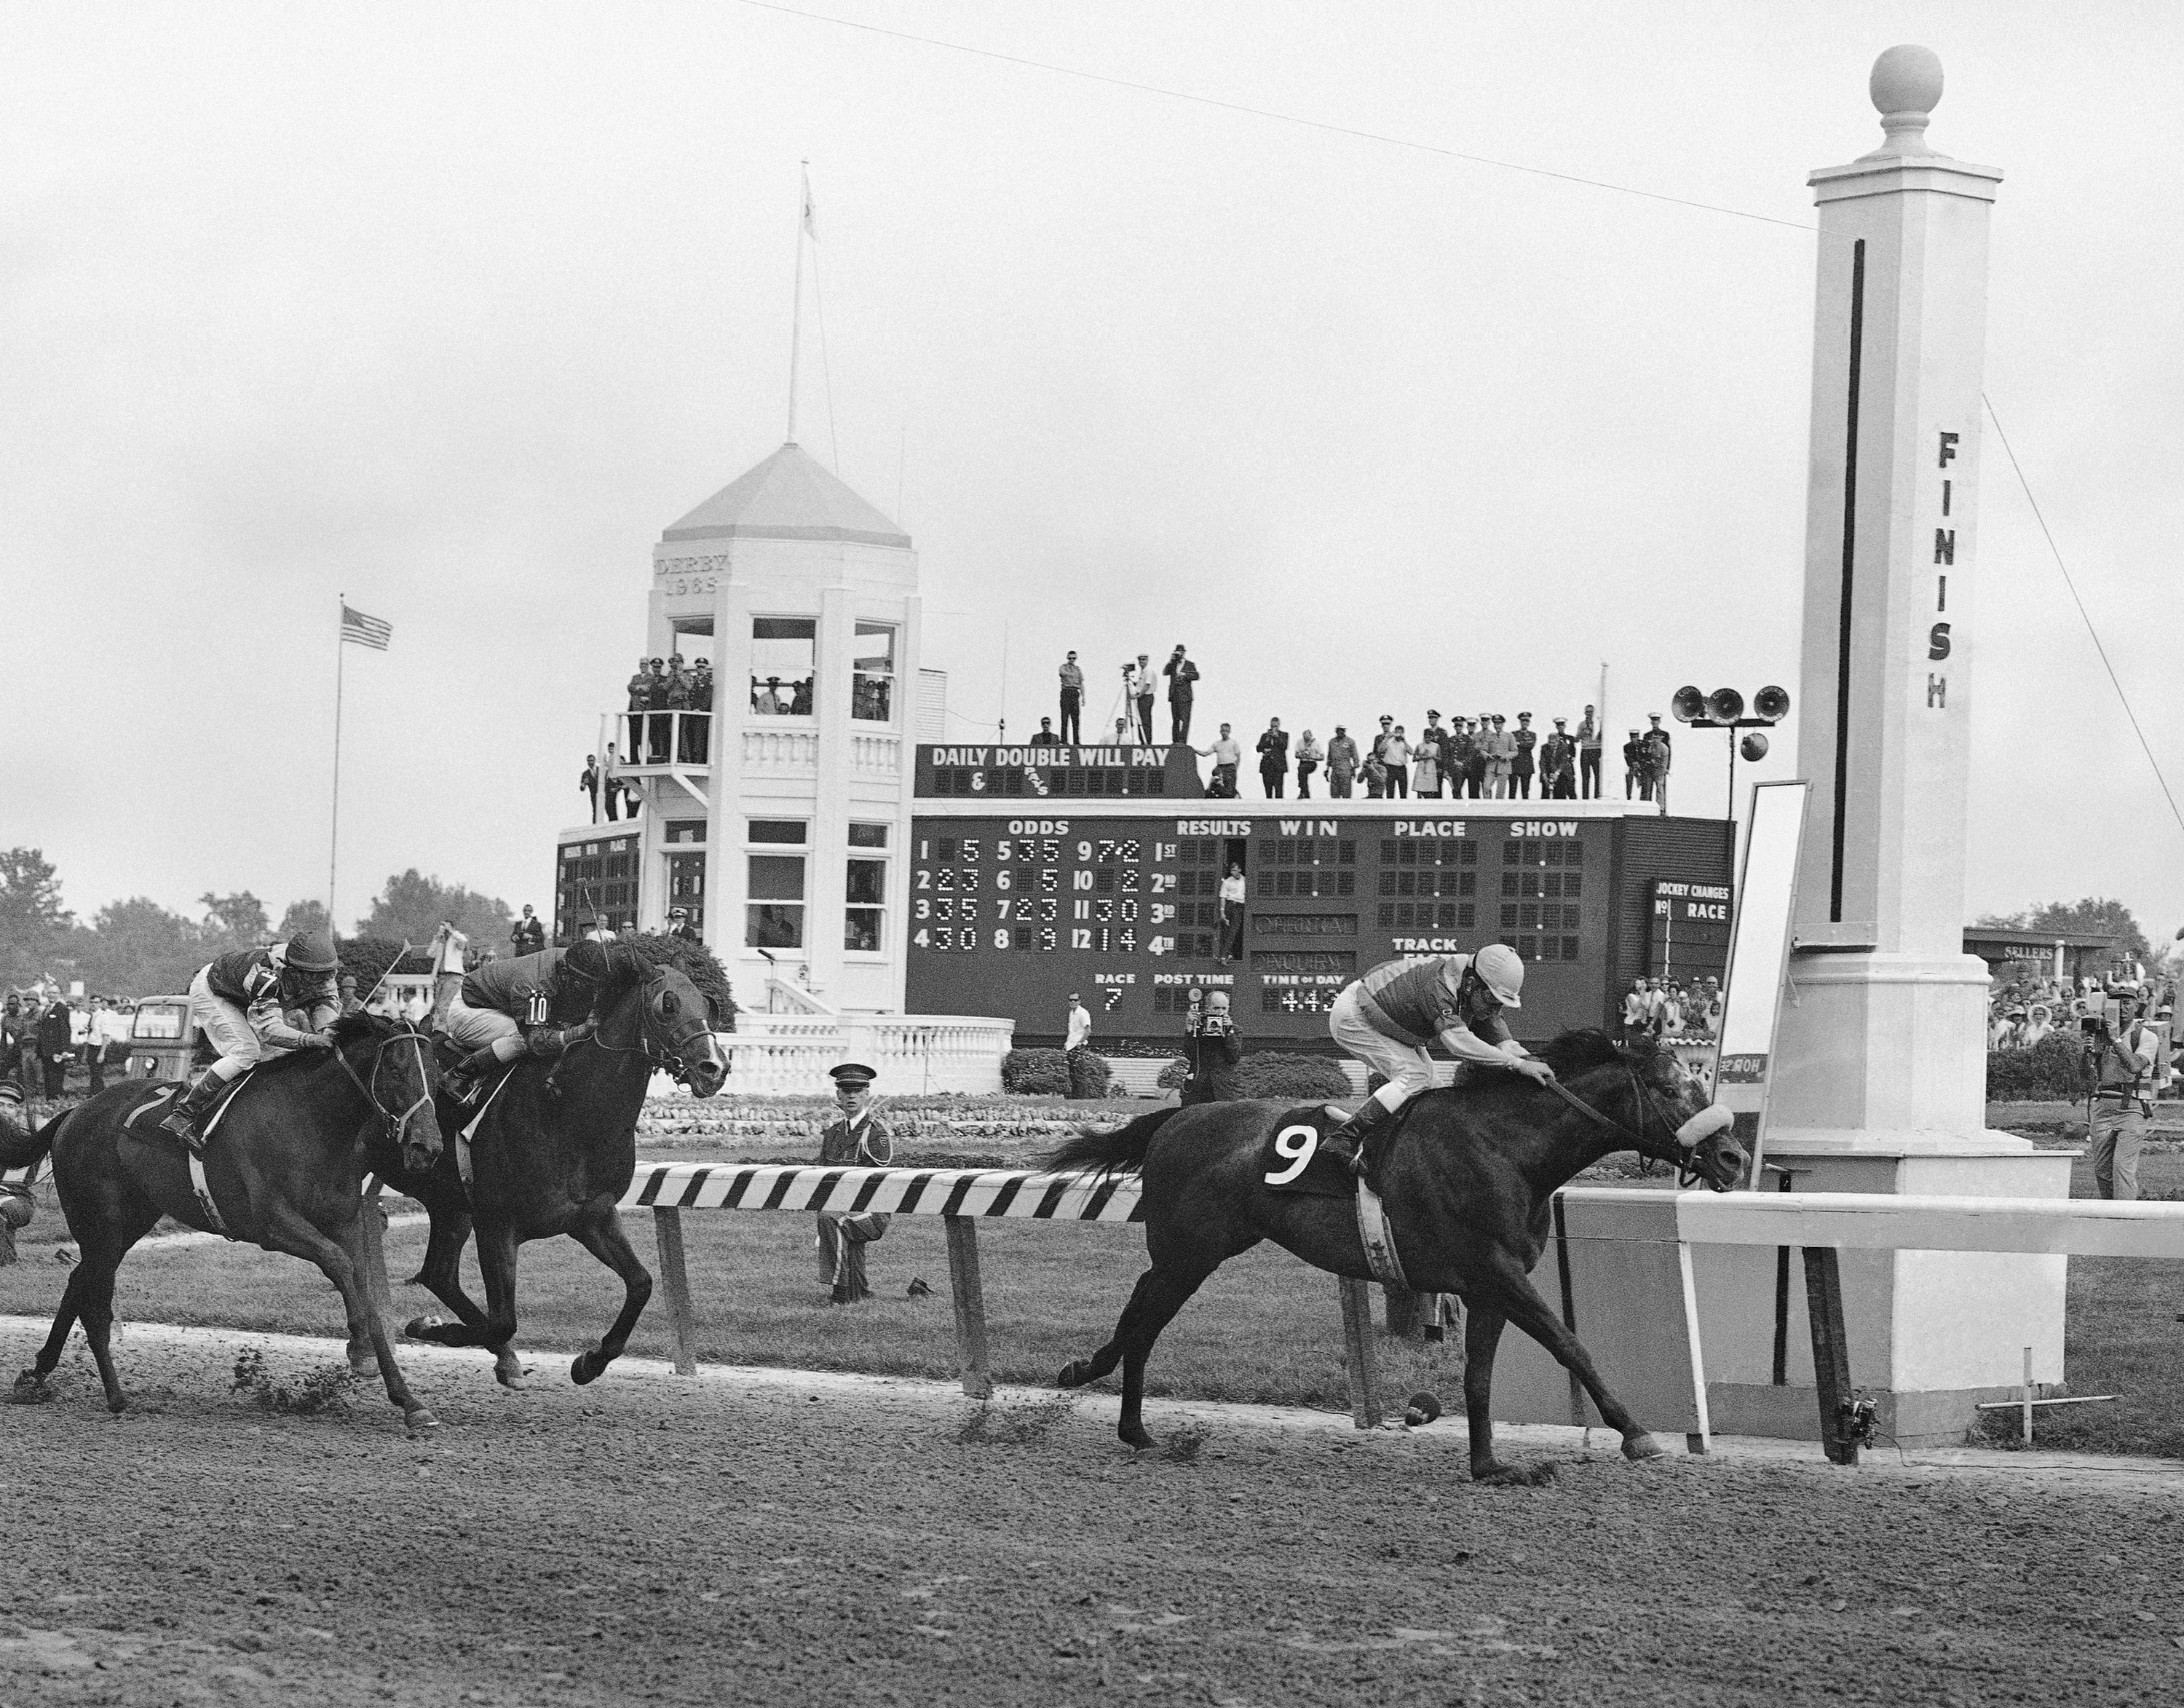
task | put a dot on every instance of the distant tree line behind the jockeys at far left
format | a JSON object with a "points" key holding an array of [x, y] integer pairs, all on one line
{"points": [[141, 949]]}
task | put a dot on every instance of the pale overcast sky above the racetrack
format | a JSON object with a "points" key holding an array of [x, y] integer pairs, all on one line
{"points": [[455, 309]]}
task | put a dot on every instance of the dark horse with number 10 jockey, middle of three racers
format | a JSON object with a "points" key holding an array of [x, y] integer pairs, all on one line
{"points": [[554, 1154]]}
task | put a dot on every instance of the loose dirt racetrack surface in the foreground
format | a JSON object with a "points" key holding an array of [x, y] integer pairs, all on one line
{"points": [[779, 1543]]}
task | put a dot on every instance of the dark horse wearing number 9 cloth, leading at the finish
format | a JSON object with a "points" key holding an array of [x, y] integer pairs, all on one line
{"points": [[1469, 1185]]}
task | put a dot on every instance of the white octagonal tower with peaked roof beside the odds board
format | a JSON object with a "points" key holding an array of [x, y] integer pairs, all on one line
{"points": [[781, 820]]}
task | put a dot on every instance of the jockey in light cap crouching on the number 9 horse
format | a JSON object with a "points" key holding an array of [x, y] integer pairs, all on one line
{"points": [[1388, 1019]]}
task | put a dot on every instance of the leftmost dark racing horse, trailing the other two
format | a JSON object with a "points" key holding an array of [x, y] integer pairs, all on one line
{"points": [[287, 1172]]}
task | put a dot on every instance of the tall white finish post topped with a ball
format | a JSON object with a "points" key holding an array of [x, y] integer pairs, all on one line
{"points": [[1879, 1078]]}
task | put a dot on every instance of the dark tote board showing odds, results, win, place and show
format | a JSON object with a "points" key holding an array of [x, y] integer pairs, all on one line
{"points": [[1041, 873]]}
